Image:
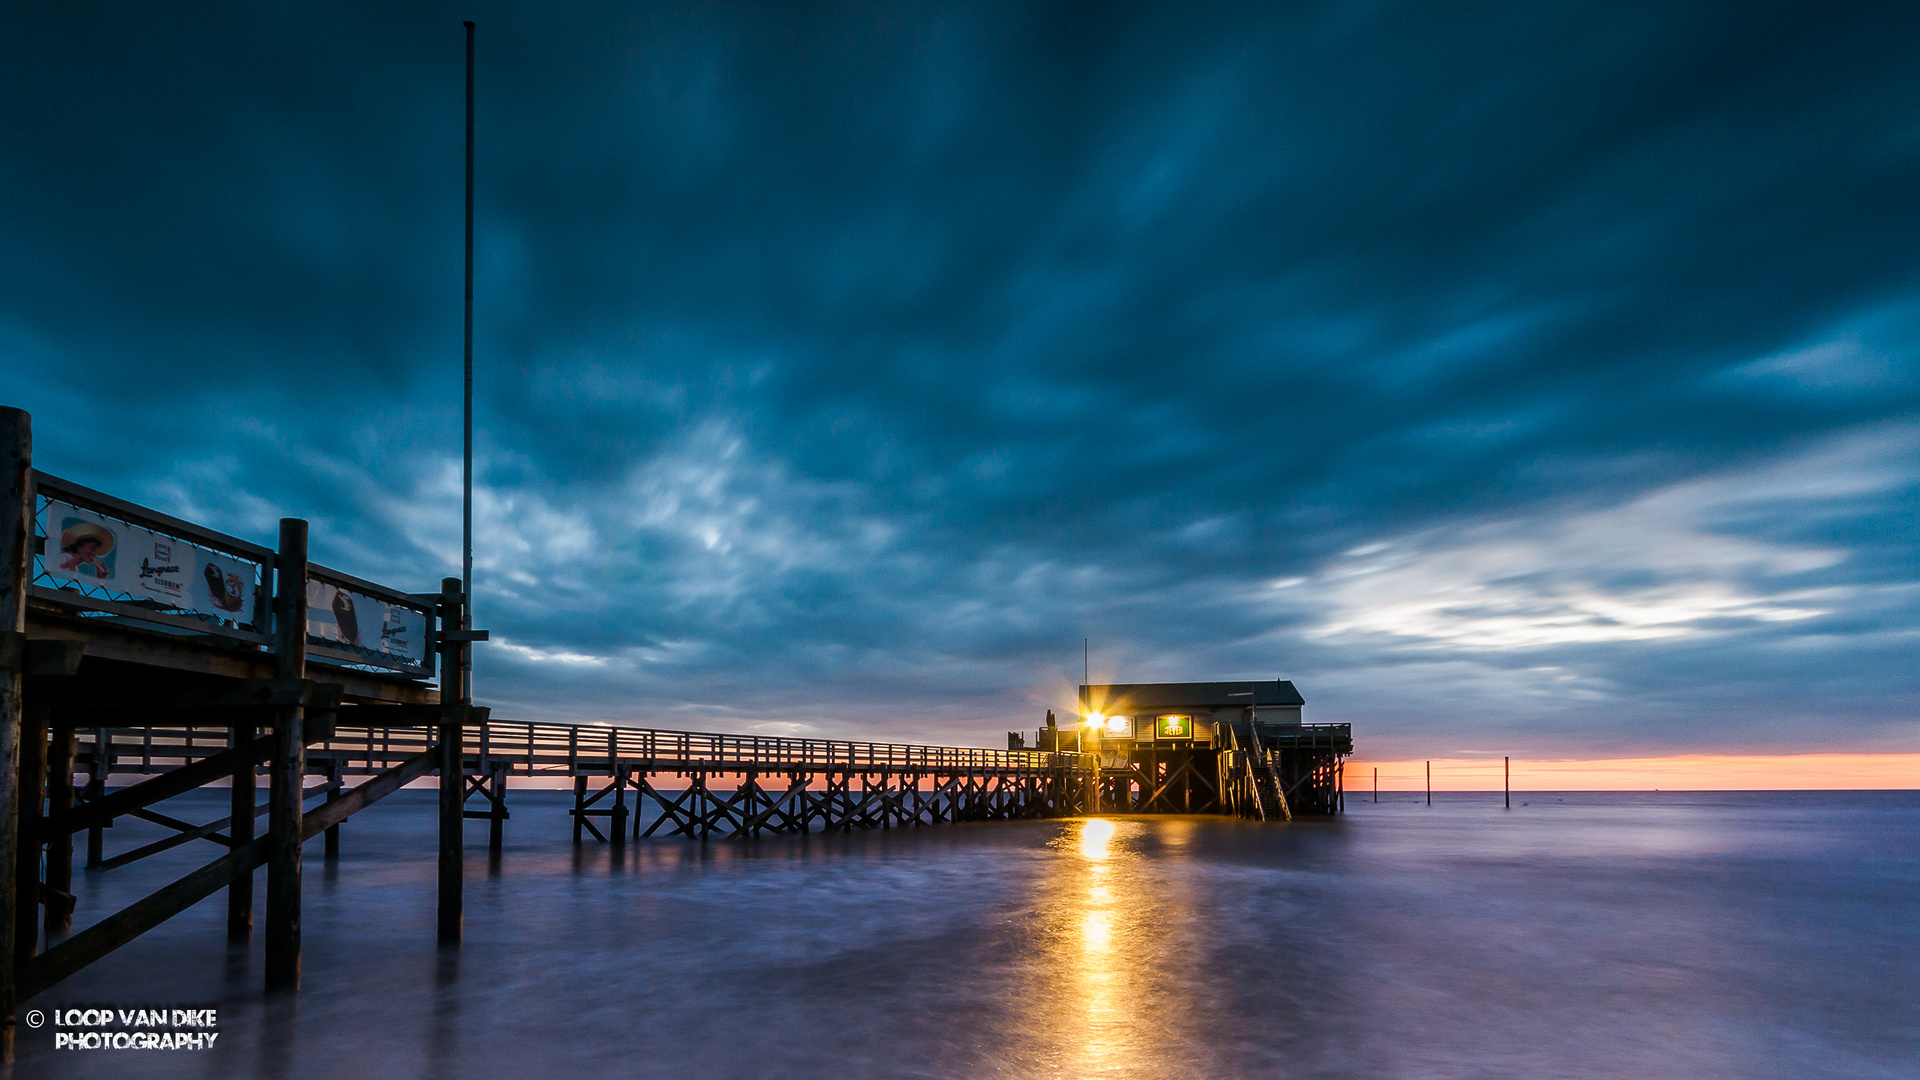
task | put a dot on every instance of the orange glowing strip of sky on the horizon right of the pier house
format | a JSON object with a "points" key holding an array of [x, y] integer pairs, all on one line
{"points": [[1679, 773]]}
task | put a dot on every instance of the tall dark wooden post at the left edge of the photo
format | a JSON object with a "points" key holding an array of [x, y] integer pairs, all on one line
{"points": [[16, 562]]}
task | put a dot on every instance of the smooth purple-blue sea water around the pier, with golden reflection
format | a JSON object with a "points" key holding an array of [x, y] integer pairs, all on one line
{"points": [[1639, 937]]}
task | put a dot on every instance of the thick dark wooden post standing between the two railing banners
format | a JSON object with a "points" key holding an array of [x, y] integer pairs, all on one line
{"points": [[289, 764]]}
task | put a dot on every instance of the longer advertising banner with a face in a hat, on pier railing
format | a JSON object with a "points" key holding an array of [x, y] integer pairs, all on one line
{"points": [[89, 549]]}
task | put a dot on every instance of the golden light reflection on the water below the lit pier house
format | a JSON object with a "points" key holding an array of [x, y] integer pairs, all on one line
{"points": [[1101, 956]]}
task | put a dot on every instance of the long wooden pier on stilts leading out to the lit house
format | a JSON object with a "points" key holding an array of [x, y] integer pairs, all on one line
{"points": [[155, 650]]}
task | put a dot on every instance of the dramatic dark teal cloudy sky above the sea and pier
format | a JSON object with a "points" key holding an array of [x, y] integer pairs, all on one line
{"points": [[1516, 380]]}
